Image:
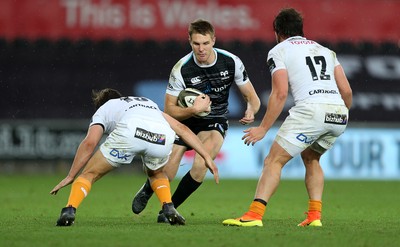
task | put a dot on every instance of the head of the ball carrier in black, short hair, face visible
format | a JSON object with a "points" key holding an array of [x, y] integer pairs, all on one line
{"points": [[202, 40]]}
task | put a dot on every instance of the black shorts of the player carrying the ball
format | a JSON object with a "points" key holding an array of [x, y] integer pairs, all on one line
{"points": [[197, 125]]}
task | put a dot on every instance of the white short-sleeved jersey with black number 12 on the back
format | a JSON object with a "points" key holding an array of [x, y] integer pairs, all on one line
{"points": [[310, 68]]}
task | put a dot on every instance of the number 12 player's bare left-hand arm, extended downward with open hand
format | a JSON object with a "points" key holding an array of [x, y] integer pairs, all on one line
{"points": [[276, 102]]}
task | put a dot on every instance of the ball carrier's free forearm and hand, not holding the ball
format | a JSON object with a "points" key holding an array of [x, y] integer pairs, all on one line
{"points": [[253, 102]]}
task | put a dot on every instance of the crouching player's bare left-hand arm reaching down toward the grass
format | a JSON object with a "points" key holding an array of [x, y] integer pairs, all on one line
{"points": [[82, 156]]}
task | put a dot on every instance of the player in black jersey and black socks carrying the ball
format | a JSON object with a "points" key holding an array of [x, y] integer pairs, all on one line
{"points": [[212, 71]]}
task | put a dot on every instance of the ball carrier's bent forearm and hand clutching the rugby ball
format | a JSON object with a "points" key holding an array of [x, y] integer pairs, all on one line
{"points": [[172, 108]]}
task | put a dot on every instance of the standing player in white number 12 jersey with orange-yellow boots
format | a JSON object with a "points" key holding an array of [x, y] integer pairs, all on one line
{"points": [[322, 96]]}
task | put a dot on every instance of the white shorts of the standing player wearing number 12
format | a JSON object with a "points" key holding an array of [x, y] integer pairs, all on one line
{"points": [[310, 123]]}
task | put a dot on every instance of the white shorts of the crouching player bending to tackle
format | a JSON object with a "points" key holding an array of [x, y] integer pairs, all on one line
{"points": [[148, 138]]}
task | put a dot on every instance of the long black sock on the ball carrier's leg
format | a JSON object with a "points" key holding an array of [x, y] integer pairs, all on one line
{"points": [[185, 188]]}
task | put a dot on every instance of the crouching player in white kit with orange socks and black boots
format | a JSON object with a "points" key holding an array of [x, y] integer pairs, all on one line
{"points": [[136, 126]]}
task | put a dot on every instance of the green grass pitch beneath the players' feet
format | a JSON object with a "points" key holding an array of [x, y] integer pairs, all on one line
{"points": [[355, 213]]}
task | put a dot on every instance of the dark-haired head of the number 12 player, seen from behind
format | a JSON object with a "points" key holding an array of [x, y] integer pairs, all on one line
{"points": [[288, 23]]}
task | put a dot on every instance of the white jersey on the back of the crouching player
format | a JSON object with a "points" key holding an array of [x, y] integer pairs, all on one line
{"points": [[111, 113]]}
